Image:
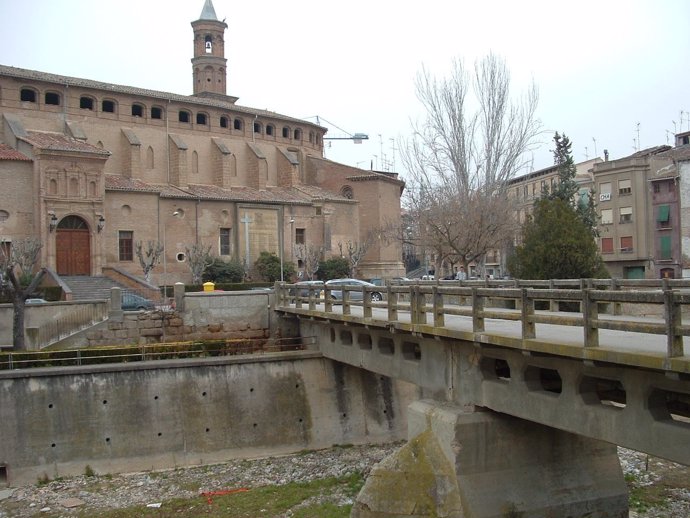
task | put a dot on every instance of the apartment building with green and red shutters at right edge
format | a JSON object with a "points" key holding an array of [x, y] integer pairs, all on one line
{"points": [[644, 212]]}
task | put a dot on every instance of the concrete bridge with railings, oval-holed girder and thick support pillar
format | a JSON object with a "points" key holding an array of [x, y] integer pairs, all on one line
{"points": [[522, 407]]}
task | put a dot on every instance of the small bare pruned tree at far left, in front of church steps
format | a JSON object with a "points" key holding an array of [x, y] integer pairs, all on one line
{"points": [[17, 278]]}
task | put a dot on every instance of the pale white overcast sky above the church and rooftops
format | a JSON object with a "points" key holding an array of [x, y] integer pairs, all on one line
{"points": [[605, 70]]}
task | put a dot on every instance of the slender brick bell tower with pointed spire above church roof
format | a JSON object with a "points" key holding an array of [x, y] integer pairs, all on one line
{"points": [[209, 63]]}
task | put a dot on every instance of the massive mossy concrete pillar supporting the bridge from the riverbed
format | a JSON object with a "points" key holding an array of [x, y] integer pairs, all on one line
{"points": [[484, 464]]}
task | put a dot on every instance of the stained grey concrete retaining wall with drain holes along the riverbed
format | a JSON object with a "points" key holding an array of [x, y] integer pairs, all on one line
{"points": [[153, 415]]}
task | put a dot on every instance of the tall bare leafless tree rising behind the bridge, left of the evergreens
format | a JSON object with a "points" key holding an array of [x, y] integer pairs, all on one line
{"points": [[461, 156]]}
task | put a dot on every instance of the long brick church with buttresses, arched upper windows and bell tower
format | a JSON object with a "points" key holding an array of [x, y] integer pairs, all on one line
{"points": [[92, 168]]}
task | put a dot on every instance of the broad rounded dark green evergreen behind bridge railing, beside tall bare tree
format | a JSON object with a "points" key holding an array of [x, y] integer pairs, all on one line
{"points": [[556, 244]]}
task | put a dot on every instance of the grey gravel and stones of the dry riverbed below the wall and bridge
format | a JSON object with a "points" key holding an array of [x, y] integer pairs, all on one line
{"points": [[96, 492]]}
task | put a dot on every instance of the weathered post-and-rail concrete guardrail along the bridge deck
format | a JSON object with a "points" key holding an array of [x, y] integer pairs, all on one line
{"points": [[519, 301]]}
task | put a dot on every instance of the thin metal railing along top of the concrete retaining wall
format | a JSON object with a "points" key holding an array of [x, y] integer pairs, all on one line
{"points": [[138, 353]]}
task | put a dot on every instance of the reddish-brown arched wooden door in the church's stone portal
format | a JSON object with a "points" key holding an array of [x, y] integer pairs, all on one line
{"points": [[73, 247]]}
